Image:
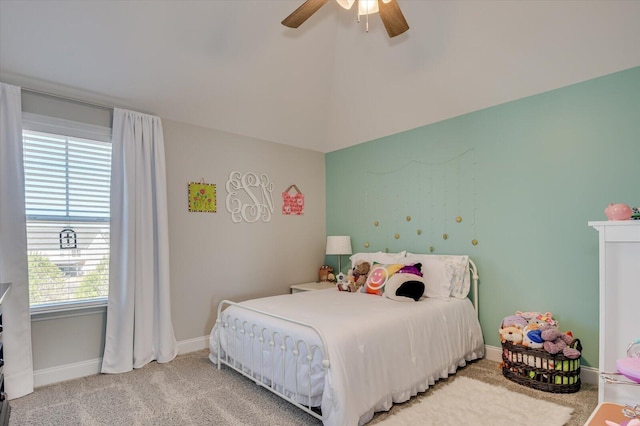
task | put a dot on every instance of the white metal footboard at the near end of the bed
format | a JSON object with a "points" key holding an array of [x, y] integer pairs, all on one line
{"points": [[243, 338]]}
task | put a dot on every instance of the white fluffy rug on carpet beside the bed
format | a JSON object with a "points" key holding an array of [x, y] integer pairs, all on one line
{"points": [[471, 402]]}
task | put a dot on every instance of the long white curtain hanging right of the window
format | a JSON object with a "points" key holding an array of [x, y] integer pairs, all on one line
{"points": [[139, 328]]}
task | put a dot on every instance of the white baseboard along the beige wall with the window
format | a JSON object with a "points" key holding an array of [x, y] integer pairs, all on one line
{"points": [[48, 376]]}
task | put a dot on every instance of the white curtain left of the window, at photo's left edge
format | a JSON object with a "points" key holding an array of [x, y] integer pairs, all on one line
{"points": [[16, 318]]}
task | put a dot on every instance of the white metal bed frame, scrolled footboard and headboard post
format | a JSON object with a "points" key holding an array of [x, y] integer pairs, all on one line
{"points": [[282, 342]]}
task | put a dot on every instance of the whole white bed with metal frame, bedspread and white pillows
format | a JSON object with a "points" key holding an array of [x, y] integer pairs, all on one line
{"points": [[343, 356]]}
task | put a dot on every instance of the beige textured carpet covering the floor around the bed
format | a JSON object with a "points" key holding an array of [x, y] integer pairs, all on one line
{"points": [[191, 391]]}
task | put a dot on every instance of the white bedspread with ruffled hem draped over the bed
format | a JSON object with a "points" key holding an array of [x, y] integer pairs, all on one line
{"points": [[380, 351]]}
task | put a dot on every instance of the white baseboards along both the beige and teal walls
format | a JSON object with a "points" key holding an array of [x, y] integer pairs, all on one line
{"points": [[47, 376]]}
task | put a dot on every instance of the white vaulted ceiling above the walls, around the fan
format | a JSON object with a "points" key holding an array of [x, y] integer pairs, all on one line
{"points": [[231, 65]]}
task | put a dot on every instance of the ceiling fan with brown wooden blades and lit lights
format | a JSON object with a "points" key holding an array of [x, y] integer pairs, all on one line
{"points": [[389, 11]]}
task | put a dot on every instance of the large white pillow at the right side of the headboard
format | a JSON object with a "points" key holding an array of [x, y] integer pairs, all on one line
{"points": [[445, 275]]}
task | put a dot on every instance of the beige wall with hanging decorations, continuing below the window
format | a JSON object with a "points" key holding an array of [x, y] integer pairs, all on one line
{"points": [[213, 258]]}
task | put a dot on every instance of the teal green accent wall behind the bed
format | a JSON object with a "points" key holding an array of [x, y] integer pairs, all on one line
{"points": [[525, 177]]}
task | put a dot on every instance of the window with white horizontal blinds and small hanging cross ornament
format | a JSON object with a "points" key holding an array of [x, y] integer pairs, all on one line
{"points": [[67, 185]]}
